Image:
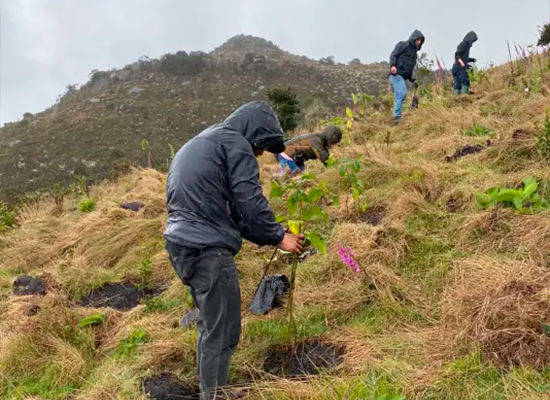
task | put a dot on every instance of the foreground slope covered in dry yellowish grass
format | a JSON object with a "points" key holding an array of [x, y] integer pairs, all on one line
{"points": [[452, 301]]}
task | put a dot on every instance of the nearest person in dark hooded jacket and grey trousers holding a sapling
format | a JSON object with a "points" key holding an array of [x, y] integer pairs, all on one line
{"points": [[214, 200]]}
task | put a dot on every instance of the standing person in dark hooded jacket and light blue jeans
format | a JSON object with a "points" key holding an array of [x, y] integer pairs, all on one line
{"points": [[402, 63]]}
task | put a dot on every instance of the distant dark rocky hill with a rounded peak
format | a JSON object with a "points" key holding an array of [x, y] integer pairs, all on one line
{"points": [[167, 101]]}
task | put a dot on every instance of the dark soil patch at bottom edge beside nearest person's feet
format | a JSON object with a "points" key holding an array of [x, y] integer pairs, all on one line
{"points": [[167, 387]]}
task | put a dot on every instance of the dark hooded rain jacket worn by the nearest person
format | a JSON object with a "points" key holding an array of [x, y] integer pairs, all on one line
{"points": [[217, 169]]}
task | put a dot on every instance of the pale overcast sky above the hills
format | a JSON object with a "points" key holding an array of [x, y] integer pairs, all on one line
{"points": [[46, 45]]}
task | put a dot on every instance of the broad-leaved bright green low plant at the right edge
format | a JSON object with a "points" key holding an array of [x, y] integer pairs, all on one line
{"points": [[523, 199]]}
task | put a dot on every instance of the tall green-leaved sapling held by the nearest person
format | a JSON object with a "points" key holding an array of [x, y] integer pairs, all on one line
{"points": [[302, 197]]}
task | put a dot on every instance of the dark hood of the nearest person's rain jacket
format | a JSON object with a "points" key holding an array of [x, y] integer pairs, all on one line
{"points": [[259, 125]]}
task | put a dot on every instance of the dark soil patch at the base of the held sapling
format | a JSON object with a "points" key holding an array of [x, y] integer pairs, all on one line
{"points": [[311, 358]]}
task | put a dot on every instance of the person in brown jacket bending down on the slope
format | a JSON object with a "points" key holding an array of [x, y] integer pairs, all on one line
{"points": [[310, 146]]}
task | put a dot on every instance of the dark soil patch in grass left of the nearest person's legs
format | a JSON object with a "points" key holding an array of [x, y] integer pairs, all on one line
{"points": [[120, 296]]}
